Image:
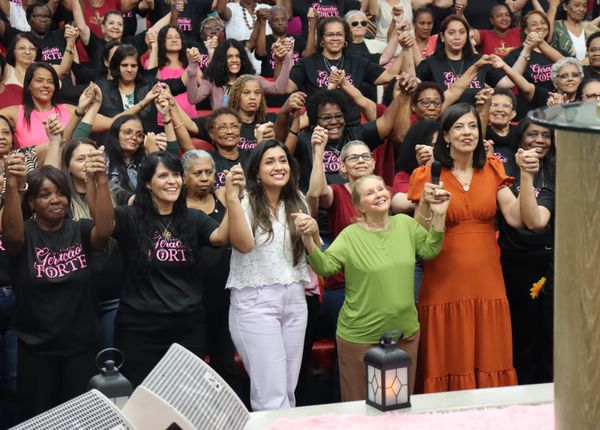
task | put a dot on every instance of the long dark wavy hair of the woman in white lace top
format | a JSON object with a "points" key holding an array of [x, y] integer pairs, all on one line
{"points": [[290, 195]]}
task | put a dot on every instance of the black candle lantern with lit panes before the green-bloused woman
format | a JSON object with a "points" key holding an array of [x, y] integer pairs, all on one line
{"points": [[387, 375]]}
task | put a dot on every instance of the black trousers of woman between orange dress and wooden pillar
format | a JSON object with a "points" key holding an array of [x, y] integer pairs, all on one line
{"points": [[531, 319]]}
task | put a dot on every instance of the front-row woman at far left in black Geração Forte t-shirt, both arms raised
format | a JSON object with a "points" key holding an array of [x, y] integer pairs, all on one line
{"points": [[49, 257]]}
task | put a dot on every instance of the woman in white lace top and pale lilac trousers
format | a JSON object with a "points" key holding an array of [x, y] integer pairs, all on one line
{"points": [[268, 314]]}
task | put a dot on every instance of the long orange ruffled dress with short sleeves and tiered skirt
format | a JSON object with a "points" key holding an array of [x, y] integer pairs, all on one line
{"points": [[466, 339]]}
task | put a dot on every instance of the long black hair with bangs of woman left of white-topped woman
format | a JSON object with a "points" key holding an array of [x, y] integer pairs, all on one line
{"points": [[146, 212]]}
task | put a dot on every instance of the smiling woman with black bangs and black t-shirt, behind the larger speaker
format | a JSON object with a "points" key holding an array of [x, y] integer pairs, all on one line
{"points": [[162, 296]]}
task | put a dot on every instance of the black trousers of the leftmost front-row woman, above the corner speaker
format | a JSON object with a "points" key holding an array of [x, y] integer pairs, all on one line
{"points": [[45, 382]]}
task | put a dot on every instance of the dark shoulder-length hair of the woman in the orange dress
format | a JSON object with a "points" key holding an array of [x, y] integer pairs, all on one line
{"points": [[441, 150]]}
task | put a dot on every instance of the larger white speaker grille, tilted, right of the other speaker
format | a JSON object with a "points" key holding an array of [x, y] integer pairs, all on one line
{"points": [[196, 391]]}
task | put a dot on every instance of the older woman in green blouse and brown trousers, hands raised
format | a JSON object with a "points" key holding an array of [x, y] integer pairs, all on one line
{"points": [[377, 255]]}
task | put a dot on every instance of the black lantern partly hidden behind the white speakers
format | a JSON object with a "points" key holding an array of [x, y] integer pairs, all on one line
{"points": [[110, 382]]}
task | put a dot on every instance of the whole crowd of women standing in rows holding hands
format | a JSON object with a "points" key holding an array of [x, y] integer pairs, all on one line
{"points": [[244, 177]]}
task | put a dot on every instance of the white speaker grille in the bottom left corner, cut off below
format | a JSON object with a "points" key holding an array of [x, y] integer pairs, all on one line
{"points": [[90, 411]]}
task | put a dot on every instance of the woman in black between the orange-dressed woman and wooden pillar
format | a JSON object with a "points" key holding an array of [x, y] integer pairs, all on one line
{"points": [[527, 257]]}
